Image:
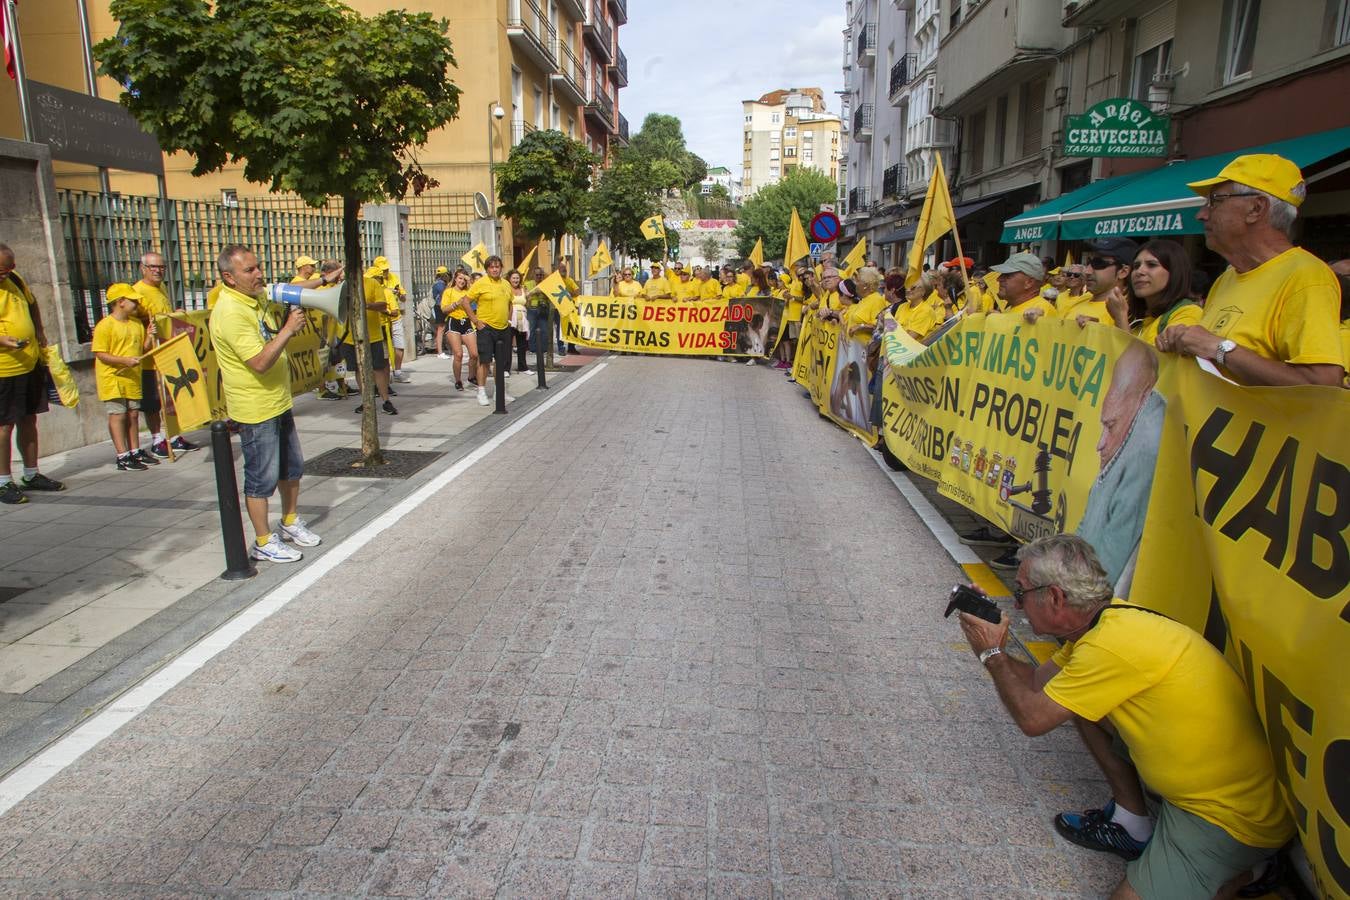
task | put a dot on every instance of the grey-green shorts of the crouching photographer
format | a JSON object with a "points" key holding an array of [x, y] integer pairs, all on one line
{"points": [[1190, 859]]}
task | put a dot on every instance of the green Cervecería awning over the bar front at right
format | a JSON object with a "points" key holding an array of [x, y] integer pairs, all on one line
{"points": [[1158, 202]]}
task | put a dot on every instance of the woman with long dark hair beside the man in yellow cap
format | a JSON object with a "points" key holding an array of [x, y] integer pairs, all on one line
{"points": [[1159, 293]]}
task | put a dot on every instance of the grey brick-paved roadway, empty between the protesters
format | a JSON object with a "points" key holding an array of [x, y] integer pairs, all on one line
{"points": [[678, 638]]}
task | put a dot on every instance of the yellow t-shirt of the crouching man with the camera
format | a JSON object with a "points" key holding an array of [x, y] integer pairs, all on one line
{"points": [[1186, 717]]}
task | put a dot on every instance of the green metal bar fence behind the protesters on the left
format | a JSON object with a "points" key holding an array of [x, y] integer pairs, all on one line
{"points": [[106, 235]]}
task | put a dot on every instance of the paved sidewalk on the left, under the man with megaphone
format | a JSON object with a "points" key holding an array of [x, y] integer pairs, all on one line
{"points": [[103, 582]]}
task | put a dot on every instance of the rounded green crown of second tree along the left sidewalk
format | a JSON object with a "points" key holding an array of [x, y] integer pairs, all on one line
{"points": [[543, 184]]}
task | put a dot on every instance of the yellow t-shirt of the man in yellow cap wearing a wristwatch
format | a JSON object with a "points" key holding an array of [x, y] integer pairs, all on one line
{"points": [[1285, 310]]}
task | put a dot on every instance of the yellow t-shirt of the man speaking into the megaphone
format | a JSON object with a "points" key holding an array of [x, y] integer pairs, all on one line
{"points": [[238, 333]]}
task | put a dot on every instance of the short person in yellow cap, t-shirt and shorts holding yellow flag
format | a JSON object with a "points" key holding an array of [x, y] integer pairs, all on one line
{"points": [[119, 342]]}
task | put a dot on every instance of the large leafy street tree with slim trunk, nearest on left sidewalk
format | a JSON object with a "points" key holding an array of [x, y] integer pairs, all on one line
{"points": [[314, 99]]}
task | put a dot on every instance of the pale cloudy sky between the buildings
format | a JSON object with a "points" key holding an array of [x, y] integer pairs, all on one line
{"points": [[699, 60]]}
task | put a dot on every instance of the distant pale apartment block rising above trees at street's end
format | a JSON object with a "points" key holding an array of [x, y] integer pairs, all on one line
{"points": [[786, 130]]}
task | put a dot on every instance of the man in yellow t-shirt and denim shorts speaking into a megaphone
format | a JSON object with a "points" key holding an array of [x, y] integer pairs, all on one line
{"points": [[256, 380]]}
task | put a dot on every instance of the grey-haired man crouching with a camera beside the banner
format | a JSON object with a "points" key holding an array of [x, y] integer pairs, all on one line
{"points": [[1159, 708]]}
